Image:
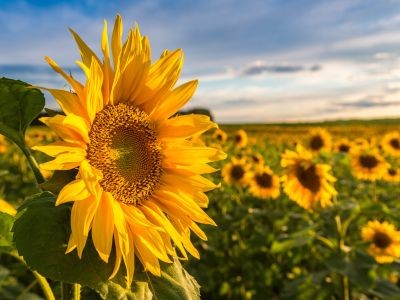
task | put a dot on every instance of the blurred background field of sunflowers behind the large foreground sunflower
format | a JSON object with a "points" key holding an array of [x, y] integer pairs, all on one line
{"points": [[266, 245]]}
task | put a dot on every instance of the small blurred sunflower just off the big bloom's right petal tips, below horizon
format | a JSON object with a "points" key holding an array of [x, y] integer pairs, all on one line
{"points": [[236, 172]]}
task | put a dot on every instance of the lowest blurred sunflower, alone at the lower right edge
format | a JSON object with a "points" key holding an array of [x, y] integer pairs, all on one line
{"points": [[385, 241]]}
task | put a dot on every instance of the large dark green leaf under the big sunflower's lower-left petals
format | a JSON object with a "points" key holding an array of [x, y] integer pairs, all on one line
{"points": [[41, 232]]}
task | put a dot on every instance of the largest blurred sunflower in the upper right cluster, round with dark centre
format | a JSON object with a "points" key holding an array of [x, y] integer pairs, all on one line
{"points": [[368, 164]]}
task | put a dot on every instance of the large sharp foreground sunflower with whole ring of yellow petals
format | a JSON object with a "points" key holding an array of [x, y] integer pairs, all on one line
{"points": [[139, 183]]}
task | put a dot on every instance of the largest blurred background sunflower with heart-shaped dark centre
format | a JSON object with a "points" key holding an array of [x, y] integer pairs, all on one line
{"points": [[305, 182]]}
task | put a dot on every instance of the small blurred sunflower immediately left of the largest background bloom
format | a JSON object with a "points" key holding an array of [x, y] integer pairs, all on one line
{"points": [[264, 183]]}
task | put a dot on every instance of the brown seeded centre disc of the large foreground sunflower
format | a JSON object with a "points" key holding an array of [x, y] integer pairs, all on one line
{"points": [[124, 146]]}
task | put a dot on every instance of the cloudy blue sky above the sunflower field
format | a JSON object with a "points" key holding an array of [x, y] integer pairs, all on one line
{"points": [[257, 61]]}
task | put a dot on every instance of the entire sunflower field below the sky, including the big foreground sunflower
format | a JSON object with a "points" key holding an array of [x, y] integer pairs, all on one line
{"points": [[122, 196]]}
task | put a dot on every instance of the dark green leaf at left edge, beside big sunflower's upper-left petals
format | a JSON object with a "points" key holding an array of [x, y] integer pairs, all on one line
{"points": [[19, 106]]}
